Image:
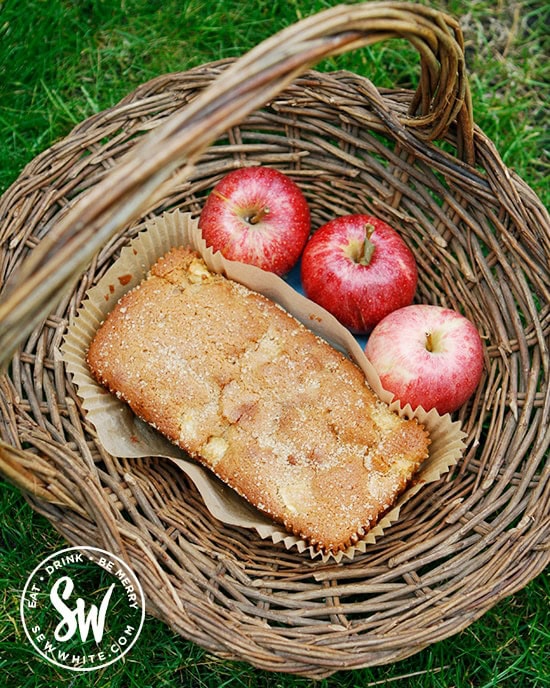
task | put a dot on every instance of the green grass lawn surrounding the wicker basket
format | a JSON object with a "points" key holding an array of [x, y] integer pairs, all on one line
{"points": [[63, 60]]}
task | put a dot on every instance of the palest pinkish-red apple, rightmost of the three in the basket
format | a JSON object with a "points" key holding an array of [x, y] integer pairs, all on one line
{"points": [[427, 356]]}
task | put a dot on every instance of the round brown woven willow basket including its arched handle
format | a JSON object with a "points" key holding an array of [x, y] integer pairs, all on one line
{"points": [[482, 241]]}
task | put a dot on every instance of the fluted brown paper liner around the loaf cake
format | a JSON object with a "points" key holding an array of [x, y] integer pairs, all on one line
{"points": [[122, 434]]}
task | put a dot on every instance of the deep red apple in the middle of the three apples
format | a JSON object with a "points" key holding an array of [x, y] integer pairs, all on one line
{"points": [[359, 269]]}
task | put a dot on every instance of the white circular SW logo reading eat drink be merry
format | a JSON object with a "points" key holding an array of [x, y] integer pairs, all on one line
{"points": [[82, 608]]}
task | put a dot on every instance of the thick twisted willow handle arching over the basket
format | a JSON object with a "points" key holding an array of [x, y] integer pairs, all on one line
{"points": [[442, 99]]}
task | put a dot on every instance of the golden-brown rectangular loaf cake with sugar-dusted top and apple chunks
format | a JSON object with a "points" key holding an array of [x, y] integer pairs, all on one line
{"points": [[245, 389]]}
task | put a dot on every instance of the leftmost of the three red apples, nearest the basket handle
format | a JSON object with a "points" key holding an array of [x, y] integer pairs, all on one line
{"points": [[257, 215]]}
